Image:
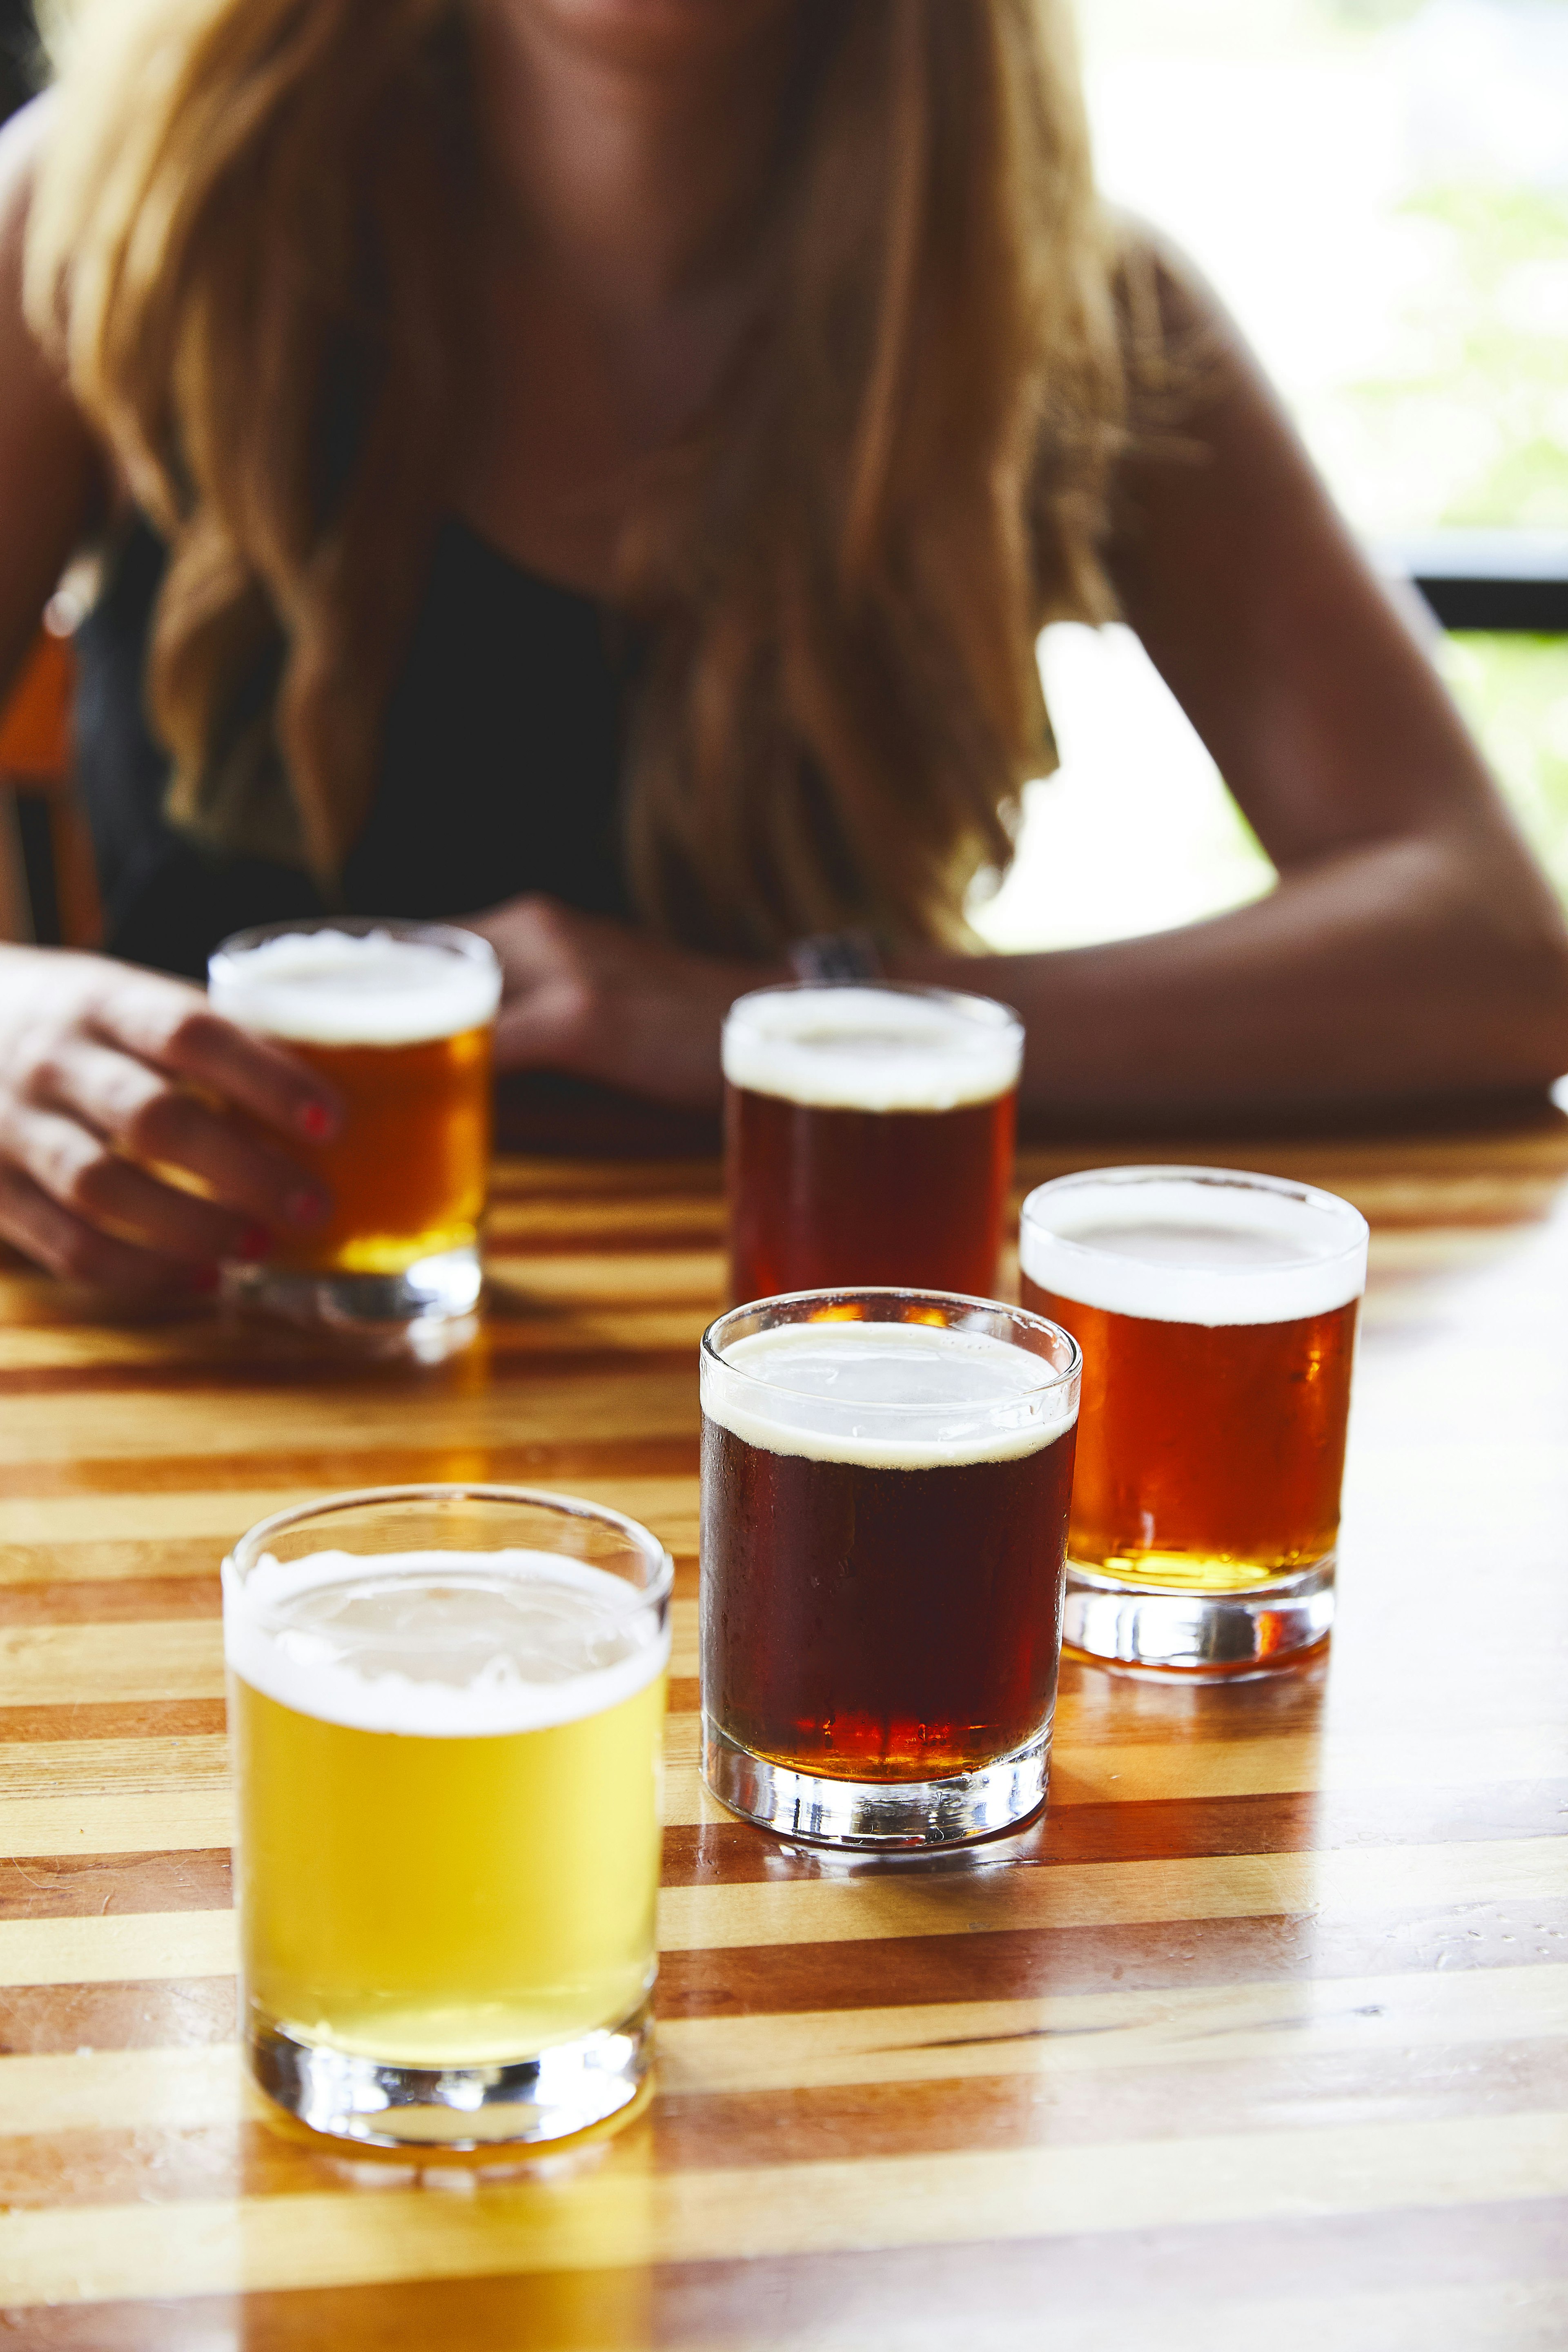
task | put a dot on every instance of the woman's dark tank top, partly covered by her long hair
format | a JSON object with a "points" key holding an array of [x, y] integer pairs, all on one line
{"points": [[500, 773]]}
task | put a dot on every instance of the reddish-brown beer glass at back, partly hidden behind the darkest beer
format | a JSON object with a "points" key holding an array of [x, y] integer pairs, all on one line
{"points": [[869, 1137]]}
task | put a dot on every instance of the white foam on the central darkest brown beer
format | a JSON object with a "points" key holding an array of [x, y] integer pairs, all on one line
{"points": [[887, 1396]]}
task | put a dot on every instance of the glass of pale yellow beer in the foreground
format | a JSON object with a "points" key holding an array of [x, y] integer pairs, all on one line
{"points": [[445, 1713]]}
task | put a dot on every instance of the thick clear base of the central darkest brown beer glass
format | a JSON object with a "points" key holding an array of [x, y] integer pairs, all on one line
{"points": [[890, 1815]]}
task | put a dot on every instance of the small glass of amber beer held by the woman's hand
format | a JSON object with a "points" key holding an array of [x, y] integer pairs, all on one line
{"points": [[398, 1017]]}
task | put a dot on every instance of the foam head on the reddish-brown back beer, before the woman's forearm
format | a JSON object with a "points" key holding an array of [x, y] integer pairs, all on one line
{"points": [[873, 1048]]}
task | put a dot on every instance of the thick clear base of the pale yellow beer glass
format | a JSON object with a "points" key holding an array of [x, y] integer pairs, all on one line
{"points": [[467, 2106]]}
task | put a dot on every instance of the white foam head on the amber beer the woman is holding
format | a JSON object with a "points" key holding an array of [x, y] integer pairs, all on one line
{"points": [[356, 987]]}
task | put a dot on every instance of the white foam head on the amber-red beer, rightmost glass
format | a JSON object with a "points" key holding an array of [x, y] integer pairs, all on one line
{"points": [[1193, 1245]]}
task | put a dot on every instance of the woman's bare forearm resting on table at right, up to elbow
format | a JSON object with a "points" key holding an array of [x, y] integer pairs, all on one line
{"points": [[1393, 970]]}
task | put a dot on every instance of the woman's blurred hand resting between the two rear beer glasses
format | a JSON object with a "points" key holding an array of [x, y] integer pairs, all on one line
{"points": [[603, 1001]]}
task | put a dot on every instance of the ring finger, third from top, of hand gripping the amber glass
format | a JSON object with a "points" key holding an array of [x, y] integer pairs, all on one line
{"points": [[105, 1191]]}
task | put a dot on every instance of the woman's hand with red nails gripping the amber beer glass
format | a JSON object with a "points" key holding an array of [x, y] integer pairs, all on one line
{"points": [[116, 1090]]}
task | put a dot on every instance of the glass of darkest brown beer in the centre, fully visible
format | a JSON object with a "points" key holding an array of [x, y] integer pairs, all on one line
{"points": [[885, 1514]]}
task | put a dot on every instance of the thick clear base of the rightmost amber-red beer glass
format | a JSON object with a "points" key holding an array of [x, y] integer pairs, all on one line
{"points": [[1224, 1636]]}
